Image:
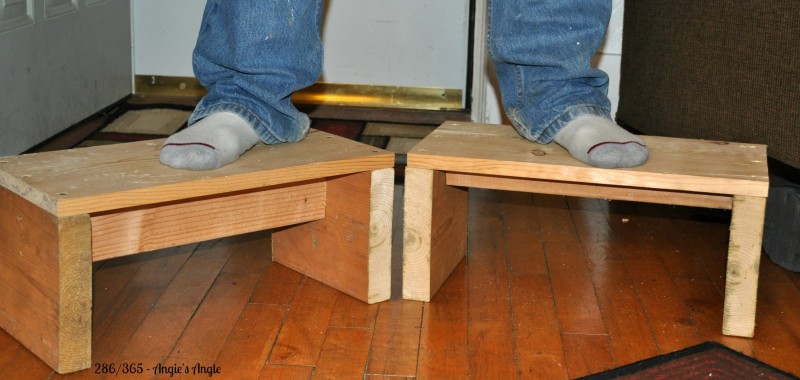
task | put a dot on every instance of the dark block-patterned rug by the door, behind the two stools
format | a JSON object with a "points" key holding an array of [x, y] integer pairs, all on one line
{"points": [[135, 122]]}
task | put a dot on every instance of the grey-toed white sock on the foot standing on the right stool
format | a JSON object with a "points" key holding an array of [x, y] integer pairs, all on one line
{"points": [[599, 142]]}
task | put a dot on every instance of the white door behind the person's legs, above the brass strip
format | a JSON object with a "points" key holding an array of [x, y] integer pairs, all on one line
{"points": [[405, 43]]}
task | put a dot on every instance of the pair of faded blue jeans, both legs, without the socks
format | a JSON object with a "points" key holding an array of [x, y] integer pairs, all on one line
{"points": [[252, 55]]}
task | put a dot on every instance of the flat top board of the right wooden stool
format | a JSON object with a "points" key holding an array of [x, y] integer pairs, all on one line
{"points": [[675, 164]]}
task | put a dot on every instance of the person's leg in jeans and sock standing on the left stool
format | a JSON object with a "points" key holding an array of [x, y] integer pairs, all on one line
{"points": [[251, 55]]}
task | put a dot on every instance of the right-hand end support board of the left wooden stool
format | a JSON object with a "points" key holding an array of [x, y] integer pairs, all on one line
{"points": [[338, 250]]}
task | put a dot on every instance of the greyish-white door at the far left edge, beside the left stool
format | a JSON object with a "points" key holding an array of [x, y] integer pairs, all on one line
{"points": [[60, 62]]}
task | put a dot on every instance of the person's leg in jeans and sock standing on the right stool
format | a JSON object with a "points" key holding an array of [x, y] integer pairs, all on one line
{"points": [[541, 51]]}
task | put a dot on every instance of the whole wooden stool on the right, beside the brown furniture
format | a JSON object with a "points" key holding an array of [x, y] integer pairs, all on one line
{"points": [[680, 172]]}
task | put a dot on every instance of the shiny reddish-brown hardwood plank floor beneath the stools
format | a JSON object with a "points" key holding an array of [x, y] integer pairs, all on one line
{"points": [[552, 288]]}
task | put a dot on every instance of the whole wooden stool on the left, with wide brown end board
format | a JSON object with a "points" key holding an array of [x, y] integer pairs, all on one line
{"points": [[61, 211]]}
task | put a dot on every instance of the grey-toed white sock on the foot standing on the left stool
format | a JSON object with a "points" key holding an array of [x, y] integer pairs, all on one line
{"points": [[214, 141]]}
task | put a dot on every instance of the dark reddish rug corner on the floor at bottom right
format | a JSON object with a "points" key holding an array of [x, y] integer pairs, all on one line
{"points": [[709, 360]]}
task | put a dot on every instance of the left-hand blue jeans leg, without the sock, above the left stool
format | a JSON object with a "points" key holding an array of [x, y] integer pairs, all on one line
{"points": [[252, 55]]}
